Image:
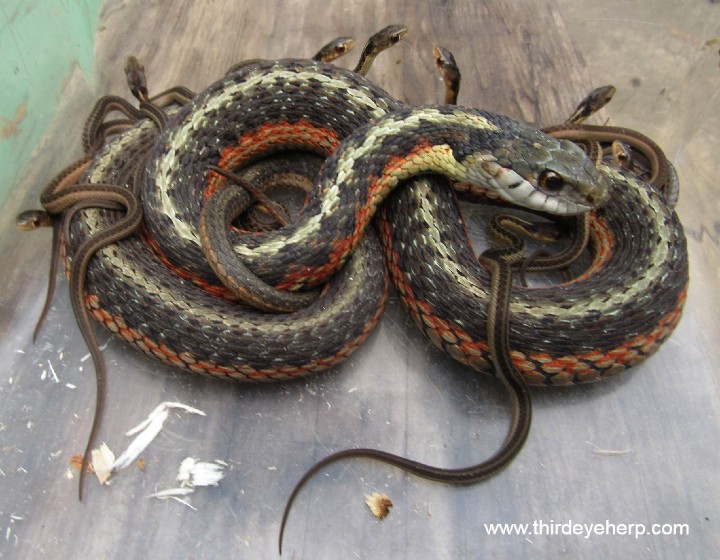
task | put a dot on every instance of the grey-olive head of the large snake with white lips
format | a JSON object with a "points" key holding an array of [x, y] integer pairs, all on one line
{"points": [[550, 175]]}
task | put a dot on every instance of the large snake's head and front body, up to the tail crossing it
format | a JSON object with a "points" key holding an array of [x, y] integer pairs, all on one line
{"points": [[463, 144]]}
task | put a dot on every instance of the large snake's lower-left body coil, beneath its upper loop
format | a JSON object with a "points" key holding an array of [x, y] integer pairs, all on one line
{"points": [[171, 318]]}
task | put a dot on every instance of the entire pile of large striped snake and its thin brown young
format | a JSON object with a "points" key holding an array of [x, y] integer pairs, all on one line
{"points": [[226, 232]]}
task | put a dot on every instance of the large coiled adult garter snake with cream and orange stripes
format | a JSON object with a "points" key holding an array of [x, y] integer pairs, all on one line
{"points": [[627, 303]]}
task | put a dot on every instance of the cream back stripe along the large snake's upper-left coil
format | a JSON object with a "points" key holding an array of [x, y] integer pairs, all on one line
{"points": [[263, 80]]}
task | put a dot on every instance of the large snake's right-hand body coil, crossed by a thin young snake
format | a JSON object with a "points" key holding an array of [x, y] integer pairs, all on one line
{"points": [[608, 319]]}
